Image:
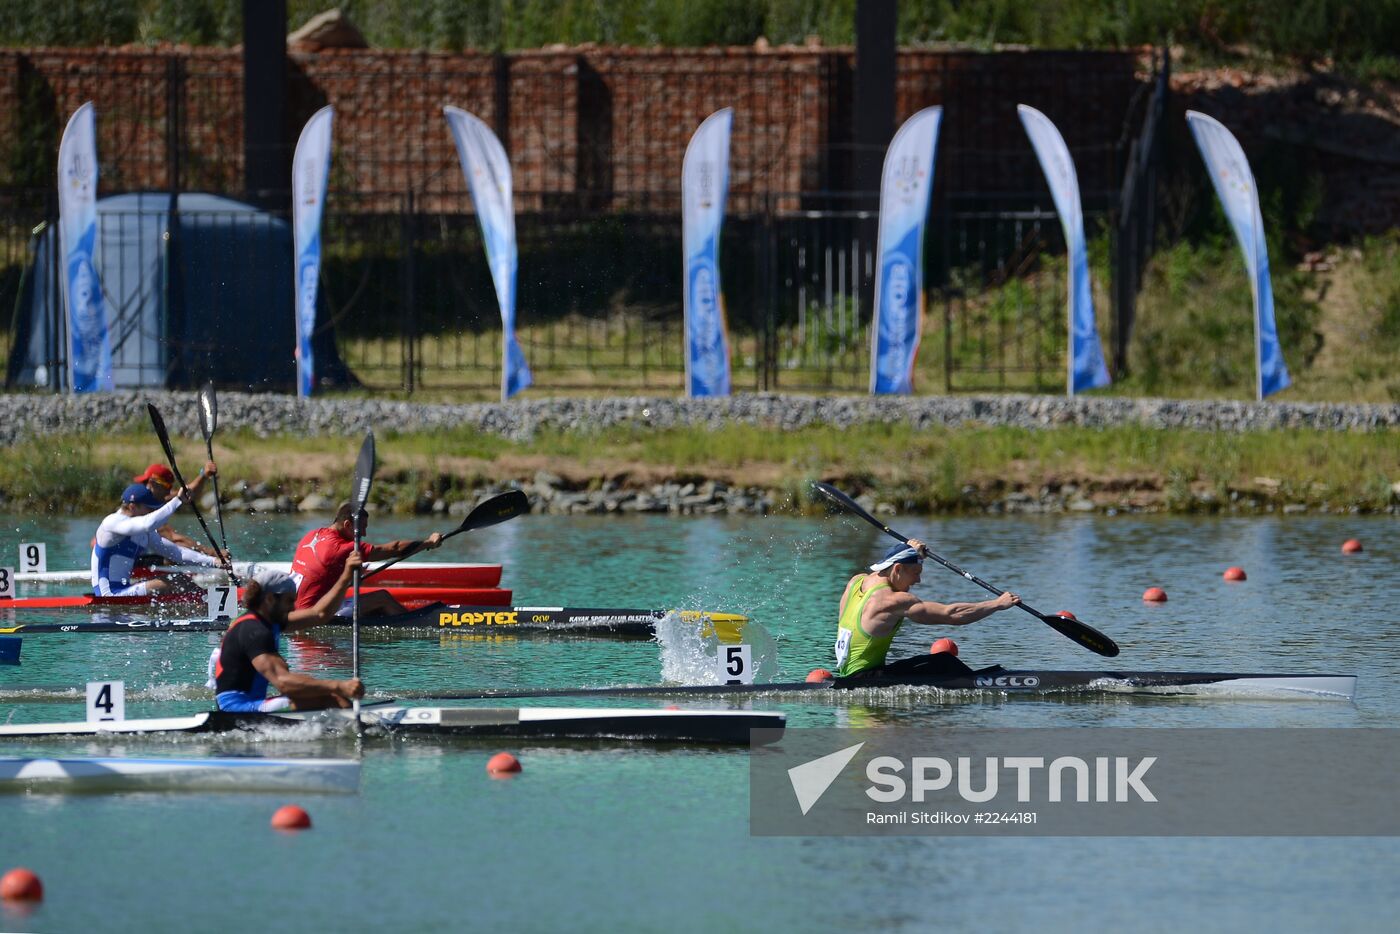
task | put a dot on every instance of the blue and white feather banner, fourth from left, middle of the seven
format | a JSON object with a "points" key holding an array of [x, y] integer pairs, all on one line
{"points": [[705, 184]]}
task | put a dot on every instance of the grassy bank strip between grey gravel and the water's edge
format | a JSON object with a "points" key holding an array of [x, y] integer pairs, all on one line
{"points": [[939, 470]]}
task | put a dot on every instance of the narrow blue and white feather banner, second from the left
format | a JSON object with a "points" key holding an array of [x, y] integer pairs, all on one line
{"points": [[310, 170]]}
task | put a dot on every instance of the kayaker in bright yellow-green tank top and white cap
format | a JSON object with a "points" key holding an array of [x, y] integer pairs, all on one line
{"points": [[877, 604]]}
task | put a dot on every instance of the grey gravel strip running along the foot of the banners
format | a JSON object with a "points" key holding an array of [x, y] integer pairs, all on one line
{"points": [[30, 417]]}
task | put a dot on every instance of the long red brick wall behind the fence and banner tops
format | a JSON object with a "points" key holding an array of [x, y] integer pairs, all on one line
{"points": [[604, 128]]}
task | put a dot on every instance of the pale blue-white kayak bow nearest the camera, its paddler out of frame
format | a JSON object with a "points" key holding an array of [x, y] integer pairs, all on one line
{"points": [[118, 774]]}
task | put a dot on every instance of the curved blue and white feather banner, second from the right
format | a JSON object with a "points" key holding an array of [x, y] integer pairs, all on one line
{"points": [[1086, 358]]}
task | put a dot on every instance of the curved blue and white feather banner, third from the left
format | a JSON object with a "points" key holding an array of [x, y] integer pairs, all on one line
{"points": [[489, 176]]}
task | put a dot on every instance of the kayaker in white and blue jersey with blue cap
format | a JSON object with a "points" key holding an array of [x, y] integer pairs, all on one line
{"points": [[134, 531]]}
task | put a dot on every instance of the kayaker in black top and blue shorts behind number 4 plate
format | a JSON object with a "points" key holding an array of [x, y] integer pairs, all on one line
{"points": [[248, 662]]}
